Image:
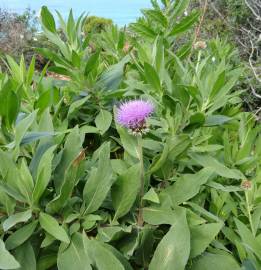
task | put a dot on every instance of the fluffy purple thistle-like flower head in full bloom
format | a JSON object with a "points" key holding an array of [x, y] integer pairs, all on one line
{"points": [[133, 115]]}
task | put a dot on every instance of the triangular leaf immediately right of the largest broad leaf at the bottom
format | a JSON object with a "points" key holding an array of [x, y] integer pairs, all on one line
{"points": [[202, 236]]}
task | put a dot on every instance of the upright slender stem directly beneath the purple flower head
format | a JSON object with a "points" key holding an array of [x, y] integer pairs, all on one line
{"points": [[140, 213]]}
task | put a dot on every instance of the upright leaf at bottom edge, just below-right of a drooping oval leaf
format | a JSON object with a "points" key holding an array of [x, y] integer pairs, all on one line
{"points": [[74, 257]]}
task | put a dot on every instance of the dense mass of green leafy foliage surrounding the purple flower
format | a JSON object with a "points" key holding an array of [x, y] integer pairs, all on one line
{"points": [[80, 191]]}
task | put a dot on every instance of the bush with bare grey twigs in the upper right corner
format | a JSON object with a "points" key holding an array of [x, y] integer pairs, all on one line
{"points": [[235, 21]]}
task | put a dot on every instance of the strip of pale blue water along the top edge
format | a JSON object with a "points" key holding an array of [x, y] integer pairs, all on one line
{"points": [[120, 11]]}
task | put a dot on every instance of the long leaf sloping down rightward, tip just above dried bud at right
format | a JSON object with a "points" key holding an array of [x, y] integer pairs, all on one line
{"points": [[217, 167]]}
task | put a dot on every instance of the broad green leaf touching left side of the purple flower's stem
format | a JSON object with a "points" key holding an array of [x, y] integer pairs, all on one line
{"points": [[125, 191]]}
